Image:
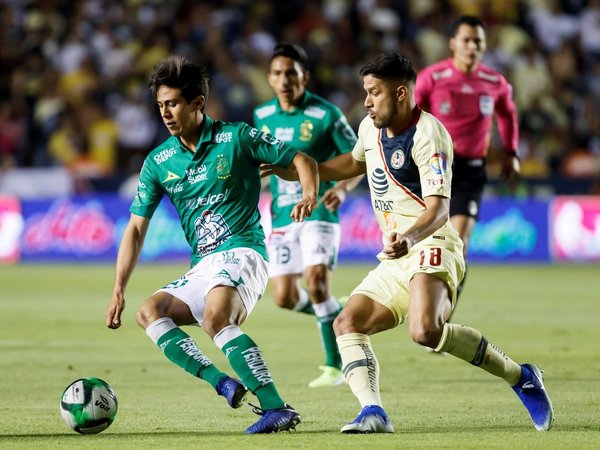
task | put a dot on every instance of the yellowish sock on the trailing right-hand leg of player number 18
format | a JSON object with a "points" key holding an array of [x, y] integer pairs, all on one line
{"points": [[468, 344]]}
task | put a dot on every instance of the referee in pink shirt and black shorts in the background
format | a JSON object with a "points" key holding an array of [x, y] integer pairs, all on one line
{"points": [[464, 95]]}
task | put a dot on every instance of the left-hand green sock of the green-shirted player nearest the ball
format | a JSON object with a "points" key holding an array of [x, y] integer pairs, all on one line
{"points": [[181, 349]]}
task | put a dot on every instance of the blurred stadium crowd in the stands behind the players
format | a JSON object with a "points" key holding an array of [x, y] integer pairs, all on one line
{"points": [[74, 73]]}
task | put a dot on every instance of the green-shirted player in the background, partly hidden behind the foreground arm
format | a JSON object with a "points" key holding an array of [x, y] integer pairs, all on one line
{"points": [[318, 128]]}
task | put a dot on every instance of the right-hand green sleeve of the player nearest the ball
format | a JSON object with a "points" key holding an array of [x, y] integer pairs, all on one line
{"points": [[264, 147]]}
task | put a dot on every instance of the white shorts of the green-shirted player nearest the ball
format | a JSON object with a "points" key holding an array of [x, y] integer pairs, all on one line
{"points": [[241, 268]]}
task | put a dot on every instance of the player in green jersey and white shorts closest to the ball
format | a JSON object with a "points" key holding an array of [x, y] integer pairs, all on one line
{"points": [[210, 172]]}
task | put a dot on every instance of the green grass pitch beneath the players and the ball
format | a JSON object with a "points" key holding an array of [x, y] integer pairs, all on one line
{"points": [[52, 332]]}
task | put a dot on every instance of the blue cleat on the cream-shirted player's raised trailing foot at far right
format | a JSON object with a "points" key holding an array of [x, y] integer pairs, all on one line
{"points": [[532, 393]]}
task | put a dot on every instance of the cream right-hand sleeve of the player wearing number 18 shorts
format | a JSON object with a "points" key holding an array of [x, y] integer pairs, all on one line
{"points": [[433, 155]]}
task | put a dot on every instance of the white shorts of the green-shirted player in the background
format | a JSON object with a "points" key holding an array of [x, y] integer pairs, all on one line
{"points": [[300, 245]]}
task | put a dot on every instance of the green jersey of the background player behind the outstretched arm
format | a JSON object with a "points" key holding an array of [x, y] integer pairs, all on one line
{"points": [[317, 128]]}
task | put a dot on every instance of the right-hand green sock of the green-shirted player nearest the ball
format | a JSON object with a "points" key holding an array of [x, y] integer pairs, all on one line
{"points": [[246, 359]]}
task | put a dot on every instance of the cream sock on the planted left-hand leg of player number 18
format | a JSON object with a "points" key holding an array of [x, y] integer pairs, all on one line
{"points": [[360, 367]]}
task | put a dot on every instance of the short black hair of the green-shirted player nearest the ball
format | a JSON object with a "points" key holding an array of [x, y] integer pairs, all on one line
{"points": [[180, 73]]}
